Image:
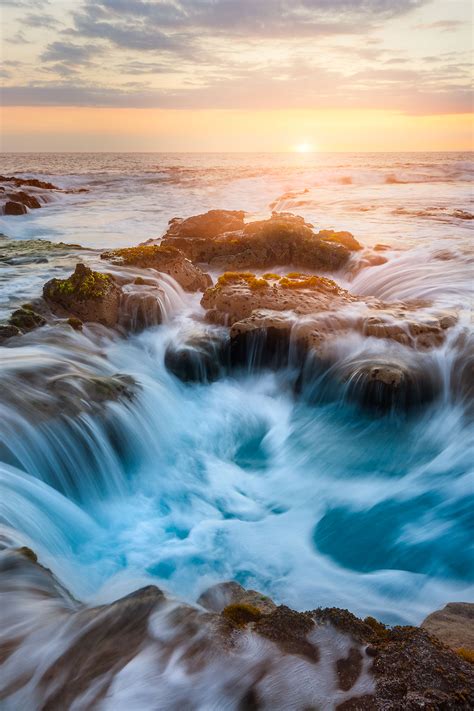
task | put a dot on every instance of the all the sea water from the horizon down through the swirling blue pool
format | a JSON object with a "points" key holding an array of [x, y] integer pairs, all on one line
{"points": [[237, 479]]}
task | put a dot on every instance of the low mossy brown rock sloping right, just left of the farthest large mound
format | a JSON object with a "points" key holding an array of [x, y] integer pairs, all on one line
{"points": [[168, 260]]}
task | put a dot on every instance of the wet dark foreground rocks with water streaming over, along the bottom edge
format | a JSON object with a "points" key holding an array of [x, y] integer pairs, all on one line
{"points": [[258, 655]]}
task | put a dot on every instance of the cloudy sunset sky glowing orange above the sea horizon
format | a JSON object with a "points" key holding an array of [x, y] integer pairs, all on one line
{"points": [[236, 75]]}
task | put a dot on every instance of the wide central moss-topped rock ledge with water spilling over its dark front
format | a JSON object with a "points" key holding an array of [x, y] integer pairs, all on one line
{"points": [[294, 320]]}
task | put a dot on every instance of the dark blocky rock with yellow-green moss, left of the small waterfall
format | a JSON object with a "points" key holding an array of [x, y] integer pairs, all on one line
{"points": [[86, 294]]}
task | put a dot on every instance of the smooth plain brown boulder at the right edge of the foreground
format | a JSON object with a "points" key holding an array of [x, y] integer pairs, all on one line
{"points": [[453, 625]]}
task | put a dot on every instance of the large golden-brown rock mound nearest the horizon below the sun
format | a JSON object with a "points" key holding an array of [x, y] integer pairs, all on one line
{"points": [[221, 239]]}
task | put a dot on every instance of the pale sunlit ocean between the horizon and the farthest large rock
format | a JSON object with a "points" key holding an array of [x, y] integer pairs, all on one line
{"points": [[409, 197]]}
